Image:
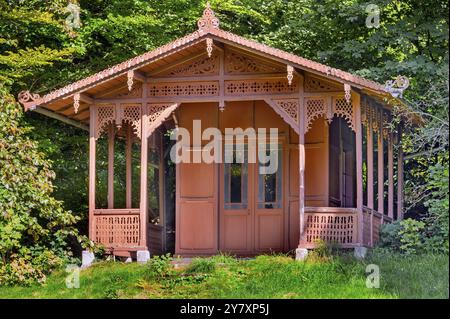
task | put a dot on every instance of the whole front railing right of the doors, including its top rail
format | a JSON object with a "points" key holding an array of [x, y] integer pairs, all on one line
{"points": [[332, 225]]}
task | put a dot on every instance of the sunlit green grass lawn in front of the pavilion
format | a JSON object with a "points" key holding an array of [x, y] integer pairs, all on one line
{"points": [[263, 277]]}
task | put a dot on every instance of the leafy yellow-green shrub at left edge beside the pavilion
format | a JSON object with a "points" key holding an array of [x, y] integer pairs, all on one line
{"points": [[34, 226]]}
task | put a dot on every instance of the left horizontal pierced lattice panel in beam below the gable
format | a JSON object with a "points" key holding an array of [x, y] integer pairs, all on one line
{"points": [[184, 89]]}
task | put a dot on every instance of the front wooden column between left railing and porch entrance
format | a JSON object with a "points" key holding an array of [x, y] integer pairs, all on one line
{"points": [[144, 163]]}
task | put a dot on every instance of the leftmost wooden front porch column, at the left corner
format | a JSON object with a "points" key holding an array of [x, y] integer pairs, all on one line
{"points": [[92, 153]]}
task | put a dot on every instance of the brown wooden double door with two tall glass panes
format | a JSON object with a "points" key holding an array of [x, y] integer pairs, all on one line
{"points": [[251, 207]]}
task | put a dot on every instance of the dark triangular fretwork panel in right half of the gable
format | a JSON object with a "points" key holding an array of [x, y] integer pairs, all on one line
{"points": [[236, 63]]}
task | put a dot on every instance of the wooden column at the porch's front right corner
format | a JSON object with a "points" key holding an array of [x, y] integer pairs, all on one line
{"points": [[356, 100]]}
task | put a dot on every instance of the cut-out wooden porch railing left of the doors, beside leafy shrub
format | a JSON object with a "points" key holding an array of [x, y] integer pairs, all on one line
{"points": [[117, 228]]}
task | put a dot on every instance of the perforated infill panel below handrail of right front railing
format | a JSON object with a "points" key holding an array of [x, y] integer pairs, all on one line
{"points": [[331, 228]]}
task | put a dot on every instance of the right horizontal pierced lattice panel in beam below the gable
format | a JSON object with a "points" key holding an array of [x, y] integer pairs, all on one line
{"points": [[268, 86]]}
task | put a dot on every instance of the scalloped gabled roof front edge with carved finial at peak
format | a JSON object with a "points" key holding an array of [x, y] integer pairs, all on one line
{"points": [[208, 27]]}
